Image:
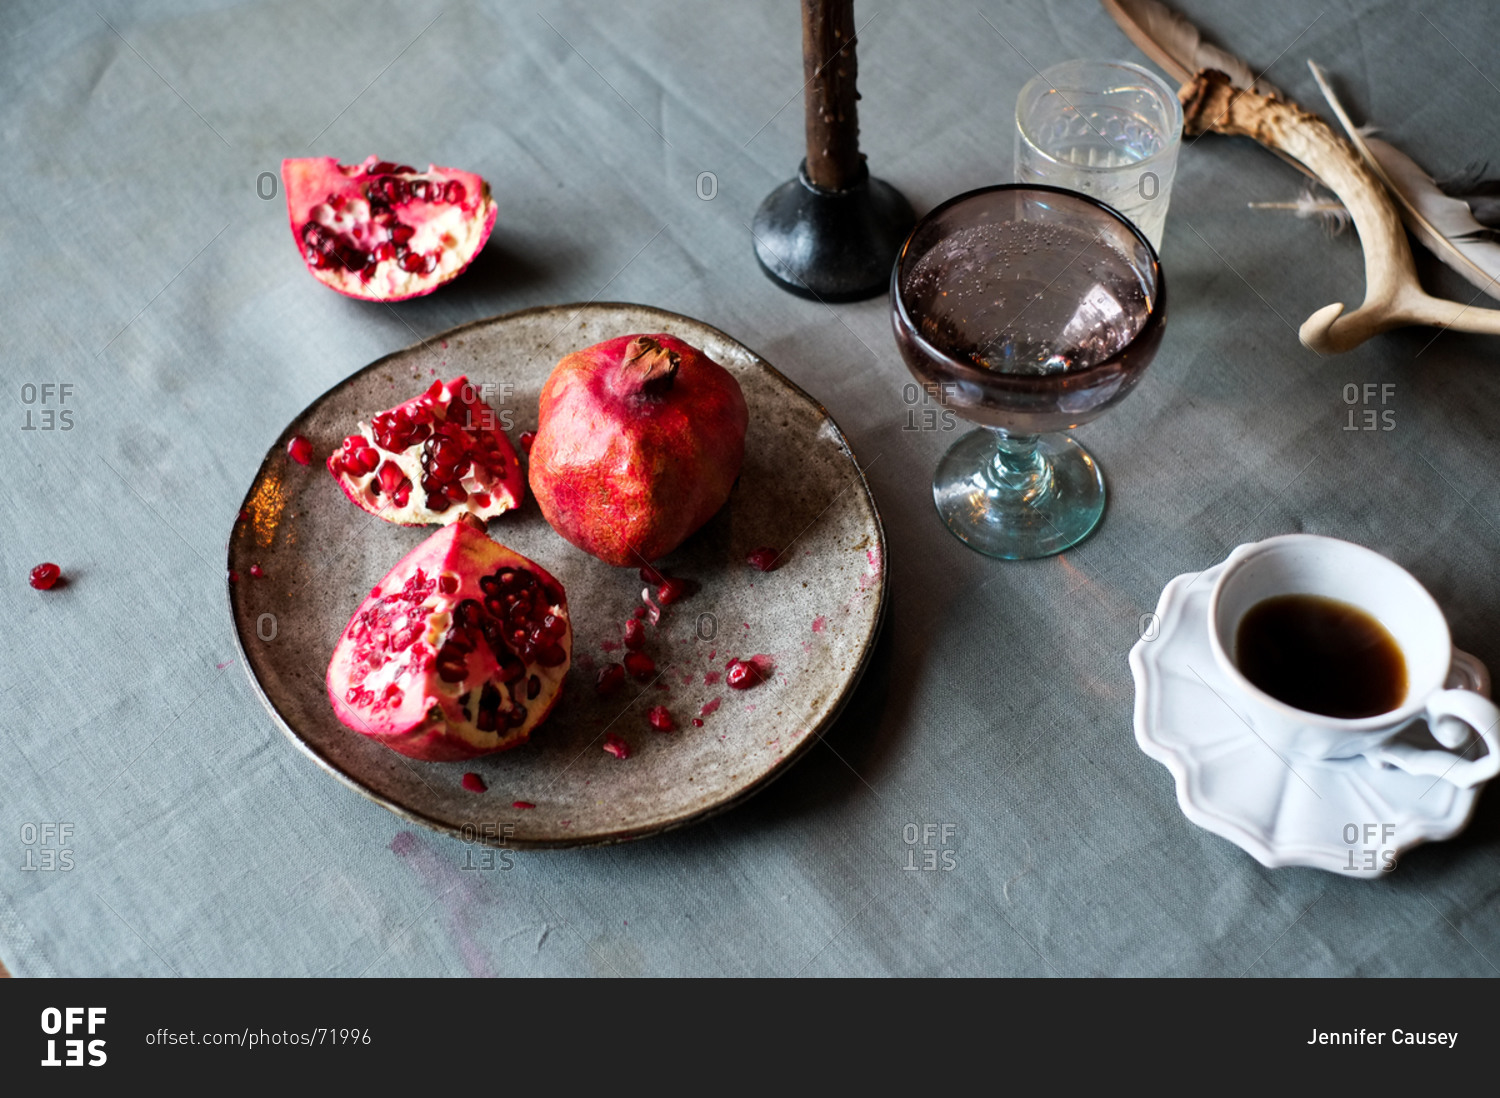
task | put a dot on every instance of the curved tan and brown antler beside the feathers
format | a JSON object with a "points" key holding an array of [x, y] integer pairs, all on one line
{"points": [[1393, 295]]}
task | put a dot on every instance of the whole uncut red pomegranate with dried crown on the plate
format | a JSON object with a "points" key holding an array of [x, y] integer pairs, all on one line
{"points": [[638, 445]]}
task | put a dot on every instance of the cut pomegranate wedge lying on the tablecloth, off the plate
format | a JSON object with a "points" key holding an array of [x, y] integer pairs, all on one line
{"points": [[386, 232]]}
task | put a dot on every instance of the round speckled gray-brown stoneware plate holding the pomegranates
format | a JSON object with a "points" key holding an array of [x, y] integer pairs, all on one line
{"points": [[817, 614]]}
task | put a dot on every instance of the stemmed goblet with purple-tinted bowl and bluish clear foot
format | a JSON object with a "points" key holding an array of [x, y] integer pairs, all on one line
{"points": [[1028, 310]]}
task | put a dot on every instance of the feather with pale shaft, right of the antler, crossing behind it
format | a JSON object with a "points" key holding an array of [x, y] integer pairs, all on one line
{"points": [[1444, 224]]}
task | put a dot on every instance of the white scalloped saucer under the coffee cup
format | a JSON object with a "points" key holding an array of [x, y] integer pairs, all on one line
{"points": [[1283, 811]]}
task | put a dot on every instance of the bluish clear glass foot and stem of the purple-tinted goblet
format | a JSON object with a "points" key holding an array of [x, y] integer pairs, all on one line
{"points": [[1019, 499]]}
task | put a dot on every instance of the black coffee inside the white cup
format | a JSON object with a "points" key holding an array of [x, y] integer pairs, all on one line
{"points": [[1321, 656]]}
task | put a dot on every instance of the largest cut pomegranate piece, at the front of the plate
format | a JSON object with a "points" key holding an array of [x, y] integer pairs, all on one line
{"points": [[460, 652]]}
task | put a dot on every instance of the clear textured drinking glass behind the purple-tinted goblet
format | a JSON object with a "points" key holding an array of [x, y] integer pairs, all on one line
{"points": [[1106, 130]]}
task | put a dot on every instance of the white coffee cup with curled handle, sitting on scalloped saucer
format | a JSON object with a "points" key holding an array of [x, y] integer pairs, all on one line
{"points": [[1382, 589]]}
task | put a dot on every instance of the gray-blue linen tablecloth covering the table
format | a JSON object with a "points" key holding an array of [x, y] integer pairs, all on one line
{"points": [[142, 269]]}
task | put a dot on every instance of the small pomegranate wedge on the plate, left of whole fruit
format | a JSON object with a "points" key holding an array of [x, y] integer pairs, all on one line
{"points": [[431, 460]]}
